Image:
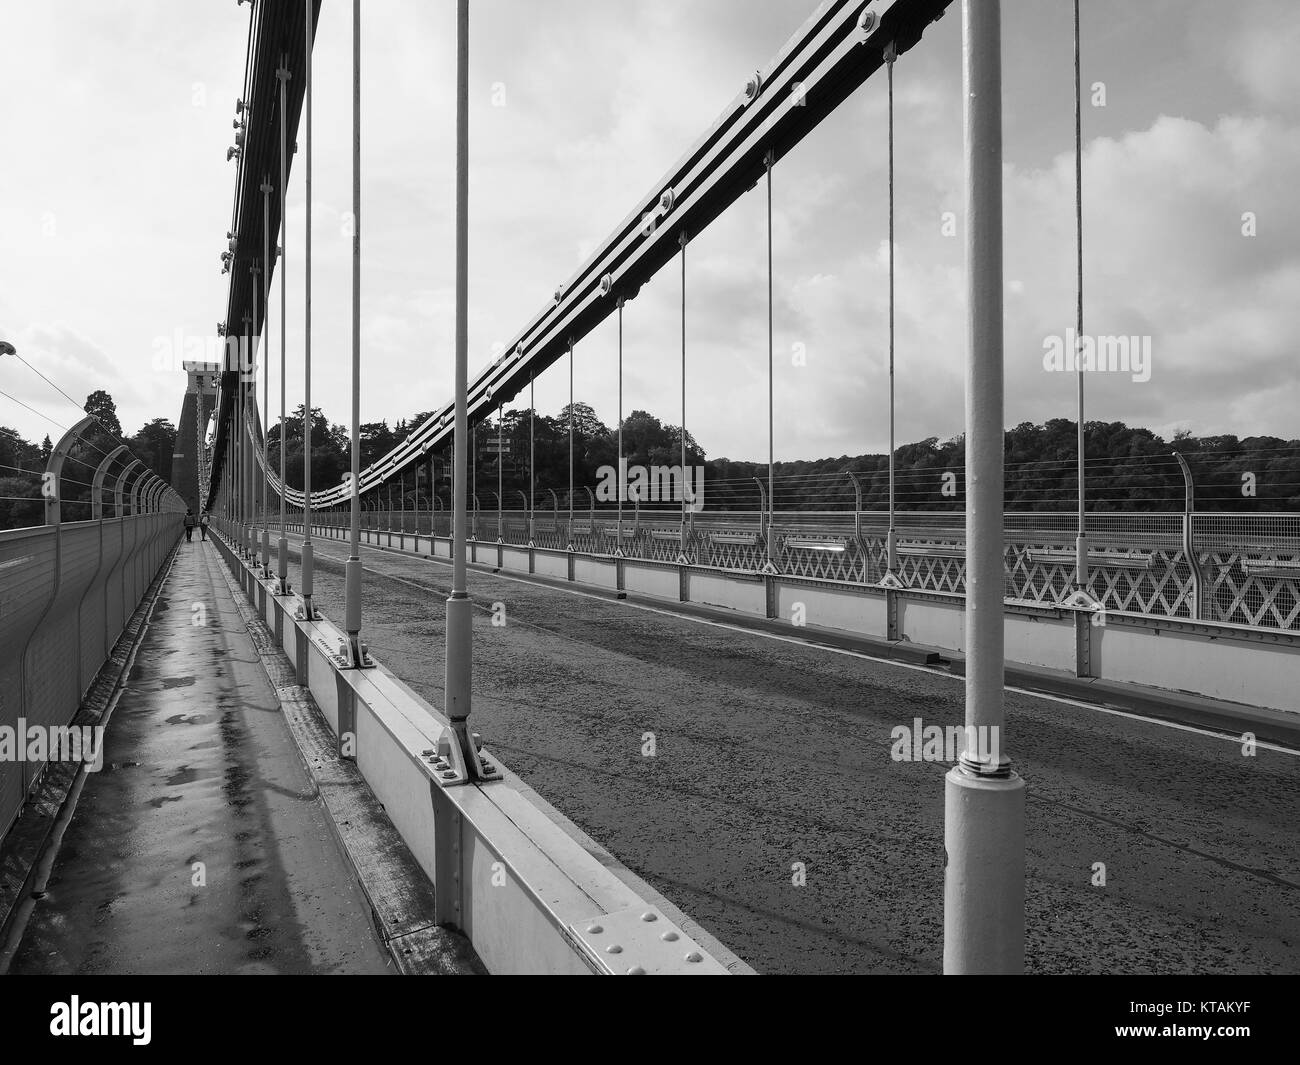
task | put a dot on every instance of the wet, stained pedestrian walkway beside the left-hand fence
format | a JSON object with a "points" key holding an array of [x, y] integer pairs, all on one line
{"points": [[201, 846]]}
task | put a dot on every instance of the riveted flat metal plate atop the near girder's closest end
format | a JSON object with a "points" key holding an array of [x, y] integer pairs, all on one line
{"points": [[642, 942]]}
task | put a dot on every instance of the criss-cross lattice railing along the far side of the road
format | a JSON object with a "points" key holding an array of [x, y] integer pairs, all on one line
{"points": [[1250, 565]]}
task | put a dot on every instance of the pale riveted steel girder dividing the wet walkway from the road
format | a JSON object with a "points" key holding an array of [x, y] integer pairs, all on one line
{"points": [[519, 881]]}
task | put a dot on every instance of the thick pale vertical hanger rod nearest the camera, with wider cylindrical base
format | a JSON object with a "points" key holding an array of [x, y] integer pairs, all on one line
{"points": [[985, 799]]}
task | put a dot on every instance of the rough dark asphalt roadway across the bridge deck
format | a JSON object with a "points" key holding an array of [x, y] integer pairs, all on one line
{"points": [[772, 754]]}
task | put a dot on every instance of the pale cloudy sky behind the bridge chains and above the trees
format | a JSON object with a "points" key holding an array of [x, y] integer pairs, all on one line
{"points": [[116, 197]]}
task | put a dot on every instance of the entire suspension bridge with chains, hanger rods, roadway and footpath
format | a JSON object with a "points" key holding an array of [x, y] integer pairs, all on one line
{"points": [[678, 728]]}
